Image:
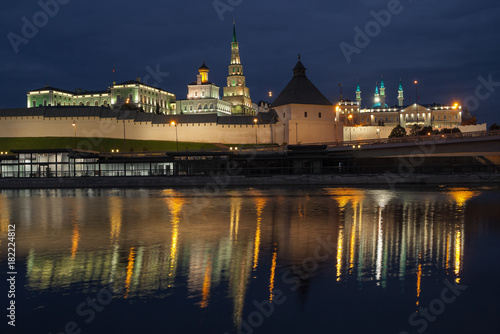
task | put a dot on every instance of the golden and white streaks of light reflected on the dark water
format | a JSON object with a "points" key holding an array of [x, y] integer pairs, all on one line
{"points": [[147, 243]]}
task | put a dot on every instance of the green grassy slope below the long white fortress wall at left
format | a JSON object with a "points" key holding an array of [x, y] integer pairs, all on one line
{"points": [[96, 144]]}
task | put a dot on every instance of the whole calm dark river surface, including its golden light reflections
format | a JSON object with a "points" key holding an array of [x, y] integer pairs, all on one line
{"points": [[331, 260]]}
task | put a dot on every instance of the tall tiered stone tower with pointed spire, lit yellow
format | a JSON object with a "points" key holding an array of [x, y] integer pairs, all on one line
{"points": [[236, 90]]}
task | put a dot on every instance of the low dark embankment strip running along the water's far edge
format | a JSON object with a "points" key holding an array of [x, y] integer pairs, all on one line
{"points": [[209, 185]]}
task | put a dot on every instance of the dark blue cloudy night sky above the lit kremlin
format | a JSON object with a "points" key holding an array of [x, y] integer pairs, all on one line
{"points": [[450, 46]]}
